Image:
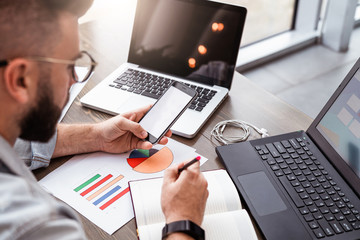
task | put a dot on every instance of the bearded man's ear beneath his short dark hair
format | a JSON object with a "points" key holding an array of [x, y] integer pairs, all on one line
{"points": [[18, 80]]}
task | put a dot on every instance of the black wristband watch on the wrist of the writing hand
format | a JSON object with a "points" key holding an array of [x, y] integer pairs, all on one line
{"points": [[184, 226]]}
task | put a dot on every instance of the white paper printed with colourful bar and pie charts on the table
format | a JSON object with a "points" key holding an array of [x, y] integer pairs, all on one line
{"points": [[96, 184]]}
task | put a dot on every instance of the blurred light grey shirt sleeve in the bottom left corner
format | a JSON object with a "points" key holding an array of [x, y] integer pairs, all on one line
{"points": [[27, 213]]}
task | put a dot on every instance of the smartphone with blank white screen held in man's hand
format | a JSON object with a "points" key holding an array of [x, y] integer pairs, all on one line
{"points": [[166, 110]]}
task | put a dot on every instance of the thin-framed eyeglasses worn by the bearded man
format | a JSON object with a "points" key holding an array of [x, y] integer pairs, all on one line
{"points": [[82, 67]]}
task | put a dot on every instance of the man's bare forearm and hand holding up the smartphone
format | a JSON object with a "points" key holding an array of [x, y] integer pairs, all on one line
{"points": [[116, 135]]}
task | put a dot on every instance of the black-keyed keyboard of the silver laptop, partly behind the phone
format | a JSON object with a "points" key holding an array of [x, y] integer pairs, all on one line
{"points": [[153, 86]]}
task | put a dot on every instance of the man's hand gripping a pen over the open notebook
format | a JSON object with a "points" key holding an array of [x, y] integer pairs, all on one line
{"points": [[184, 196]]}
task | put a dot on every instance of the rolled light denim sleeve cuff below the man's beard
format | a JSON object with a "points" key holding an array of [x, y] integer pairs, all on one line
{"points": [[35, 154]]}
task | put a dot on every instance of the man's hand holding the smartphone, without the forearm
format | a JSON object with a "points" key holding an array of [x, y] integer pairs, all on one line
{"points": [[122, 133]]}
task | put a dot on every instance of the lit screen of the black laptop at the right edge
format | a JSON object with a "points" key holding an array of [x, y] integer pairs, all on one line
{"points": [[340, 126]]}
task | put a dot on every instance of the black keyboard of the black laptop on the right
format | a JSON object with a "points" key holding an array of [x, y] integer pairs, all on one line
{"points": [[320, 201]]}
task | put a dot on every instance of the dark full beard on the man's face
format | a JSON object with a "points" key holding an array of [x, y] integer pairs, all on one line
{"points": [[40, 122]]}
